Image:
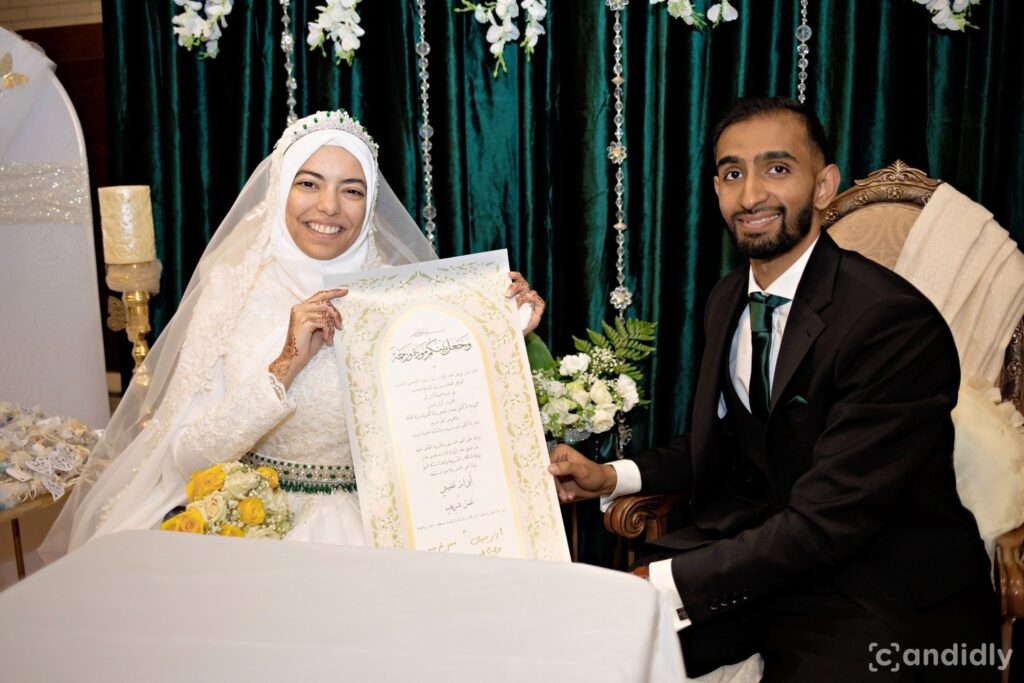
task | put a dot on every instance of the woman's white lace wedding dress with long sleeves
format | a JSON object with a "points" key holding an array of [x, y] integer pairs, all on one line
{"points": [[306, 426]]}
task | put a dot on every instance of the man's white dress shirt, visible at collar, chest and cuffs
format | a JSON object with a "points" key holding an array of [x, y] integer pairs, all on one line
{"points": [[740, 370]]}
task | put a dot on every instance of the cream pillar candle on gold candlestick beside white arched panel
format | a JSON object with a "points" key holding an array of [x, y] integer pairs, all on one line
{"points": [[133, 268]]}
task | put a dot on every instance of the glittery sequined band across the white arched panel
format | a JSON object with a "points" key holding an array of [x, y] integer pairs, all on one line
{"points": [[52, 193]]}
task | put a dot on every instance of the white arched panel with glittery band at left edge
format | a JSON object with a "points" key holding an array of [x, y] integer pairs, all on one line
{"points": [[52, 352]]}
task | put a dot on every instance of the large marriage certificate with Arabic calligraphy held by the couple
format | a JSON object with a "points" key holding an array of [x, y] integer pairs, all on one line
{"points": [[447, 441]]}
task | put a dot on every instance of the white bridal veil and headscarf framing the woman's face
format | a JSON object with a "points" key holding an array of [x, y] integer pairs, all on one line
{"points": [[130, 477]]}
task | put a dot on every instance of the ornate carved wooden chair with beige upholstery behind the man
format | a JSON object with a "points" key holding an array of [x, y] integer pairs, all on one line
{"points": [[874, 218]]}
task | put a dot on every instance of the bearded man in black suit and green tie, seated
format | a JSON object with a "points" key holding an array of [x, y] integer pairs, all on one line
{"points": [[826, 525]]}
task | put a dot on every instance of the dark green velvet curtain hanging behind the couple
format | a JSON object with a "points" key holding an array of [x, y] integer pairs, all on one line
{"points": [[521, 161]]}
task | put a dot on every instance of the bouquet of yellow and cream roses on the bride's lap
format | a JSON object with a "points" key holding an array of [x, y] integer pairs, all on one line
{"points": [[234, 499]]}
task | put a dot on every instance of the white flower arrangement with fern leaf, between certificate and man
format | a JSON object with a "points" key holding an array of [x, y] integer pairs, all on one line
{"points": [[583, 394]]}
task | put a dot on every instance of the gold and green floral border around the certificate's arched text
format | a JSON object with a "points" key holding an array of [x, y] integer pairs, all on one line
{"points": [[474, 286]]}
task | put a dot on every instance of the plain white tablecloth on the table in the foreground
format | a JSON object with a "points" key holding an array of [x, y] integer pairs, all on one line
{"points": [[165, 607]]}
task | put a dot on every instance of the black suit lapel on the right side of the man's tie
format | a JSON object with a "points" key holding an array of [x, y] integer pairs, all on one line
{"points": [[805, 325]]}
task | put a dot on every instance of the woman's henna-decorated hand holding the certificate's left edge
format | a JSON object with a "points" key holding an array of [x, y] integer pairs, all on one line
{"points": [[311, 326]]}
